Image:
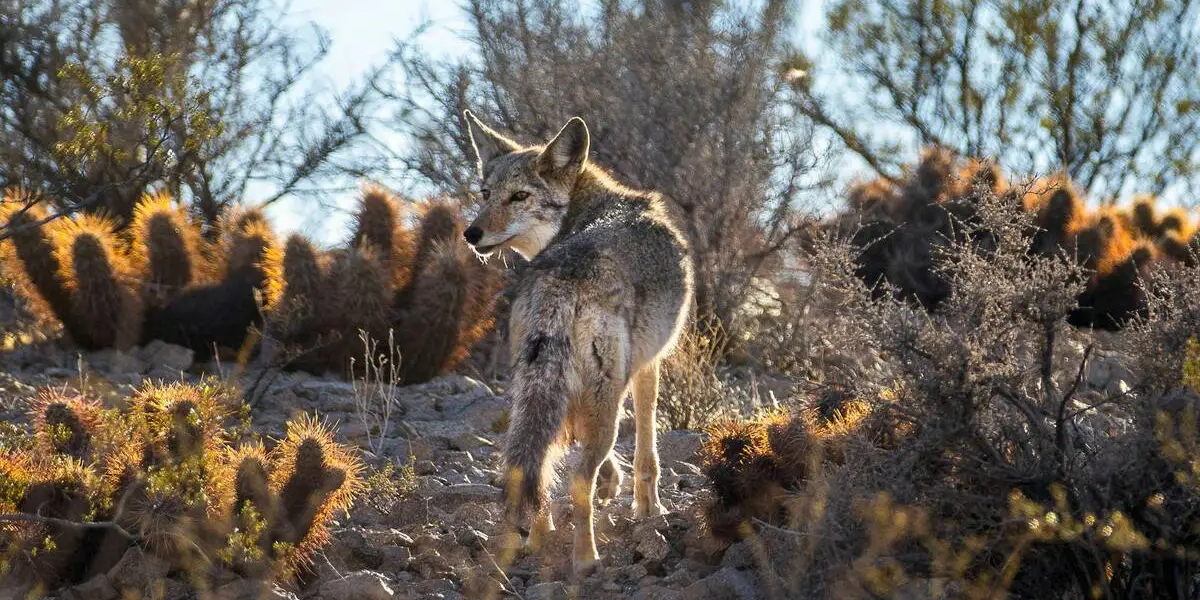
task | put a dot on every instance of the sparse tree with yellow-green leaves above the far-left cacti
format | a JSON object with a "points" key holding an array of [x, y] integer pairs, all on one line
{"points": [[101, 100]]}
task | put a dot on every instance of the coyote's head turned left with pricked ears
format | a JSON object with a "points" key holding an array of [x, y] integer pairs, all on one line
{"points": [[525, 189]]}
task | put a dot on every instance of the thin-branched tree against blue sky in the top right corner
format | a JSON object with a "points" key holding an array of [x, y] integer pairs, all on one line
{"points": [[1106, 92]]}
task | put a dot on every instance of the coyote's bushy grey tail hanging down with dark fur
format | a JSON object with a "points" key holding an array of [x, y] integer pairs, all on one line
{"points": [[543, 380]]}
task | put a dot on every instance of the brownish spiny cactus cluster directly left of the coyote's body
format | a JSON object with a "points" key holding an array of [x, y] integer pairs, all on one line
{"points": [[419, 284]]}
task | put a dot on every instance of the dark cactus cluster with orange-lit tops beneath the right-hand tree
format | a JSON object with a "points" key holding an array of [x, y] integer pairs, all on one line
{"points": [[901, 231]]}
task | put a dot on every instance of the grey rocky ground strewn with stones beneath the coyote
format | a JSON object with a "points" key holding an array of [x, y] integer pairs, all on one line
{"points": [[441, 537]]}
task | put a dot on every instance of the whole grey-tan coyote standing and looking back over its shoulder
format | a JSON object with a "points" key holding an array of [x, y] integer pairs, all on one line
{"points": [[602, 303]]}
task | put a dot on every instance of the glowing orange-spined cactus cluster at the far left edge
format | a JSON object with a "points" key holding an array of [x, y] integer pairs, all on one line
{"points": [[158, 279]]}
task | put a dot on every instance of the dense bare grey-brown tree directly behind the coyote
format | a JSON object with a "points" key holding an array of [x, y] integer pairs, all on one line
{"points": [[686, 98]]}
